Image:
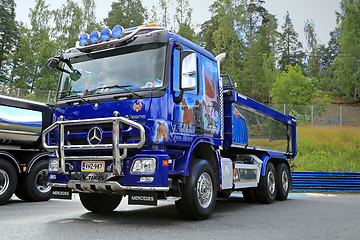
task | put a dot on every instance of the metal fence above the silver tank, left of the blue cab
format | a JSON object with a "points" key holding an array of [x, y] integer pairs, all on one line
{"points": [[45, 96]]}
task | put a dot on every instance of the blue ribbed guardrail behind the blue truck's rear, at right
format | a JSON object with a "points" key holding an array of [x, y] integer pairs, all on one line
{"points": [[326, 181]]}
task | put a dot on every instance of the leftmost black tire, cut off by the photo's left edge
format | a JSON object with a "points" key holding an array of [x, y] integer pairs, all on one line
{"points": [[8, 181]]}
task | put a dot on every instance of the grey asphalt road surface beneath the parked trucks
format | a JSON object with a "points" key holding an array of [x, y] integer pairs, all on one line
{"points": [[302, 216]]}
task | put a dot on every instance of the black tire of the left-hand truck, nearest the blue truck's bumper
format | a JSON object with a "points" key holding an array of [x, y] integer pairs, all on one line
{"points": [[34, 186]]}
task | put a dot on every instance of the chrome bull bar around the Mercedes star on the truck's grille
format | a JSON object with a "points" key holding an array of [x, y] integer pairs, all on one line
{"points": [[115, 146]]}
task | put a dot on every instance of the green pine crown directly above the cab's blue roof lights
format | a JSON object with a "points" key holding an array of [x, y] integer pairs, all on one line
{"points": [[127, 13]]}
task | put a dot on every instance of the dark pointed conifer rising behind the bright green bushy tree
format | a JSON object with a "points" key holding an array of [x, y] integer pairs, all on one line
{"points": [[289, 47]]}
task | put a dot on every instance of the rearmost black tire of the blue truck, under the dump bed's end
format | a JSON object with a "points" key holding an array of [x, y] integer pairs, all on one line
{"points": [[283, 182]]}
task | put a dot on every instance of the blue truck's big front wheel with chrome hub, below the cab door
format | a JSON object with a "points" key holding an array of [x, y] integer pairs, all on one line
{"points": [[198, 195]]}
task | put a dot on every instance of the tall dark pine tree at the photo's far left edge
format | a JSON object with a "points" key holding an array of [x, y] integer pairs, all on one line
{"points": [[8, 36]]}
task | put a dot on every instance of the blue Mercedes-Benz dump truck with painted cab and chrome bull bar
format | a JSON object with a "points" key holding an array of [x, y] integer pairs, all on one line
{"points": [[144, 113]]}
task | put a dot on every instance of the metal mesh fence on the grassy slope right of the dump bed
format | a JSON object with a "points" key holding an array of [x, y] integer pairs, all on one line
{"points": [[334, 115]]}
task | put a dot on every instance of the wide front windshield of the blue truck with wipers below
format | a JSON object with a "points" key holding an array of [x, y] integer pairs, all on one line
{"points": [[121, 70]]}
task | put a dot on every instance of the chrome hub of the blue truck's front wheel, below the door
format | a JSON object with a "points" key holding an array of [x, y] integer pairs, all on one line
{"points": [[204, 190]]}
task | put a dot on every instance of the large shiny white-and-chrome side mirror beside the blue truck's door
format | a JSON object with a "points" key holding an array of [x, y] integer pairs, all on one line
{"points": [[188, 70]]}
